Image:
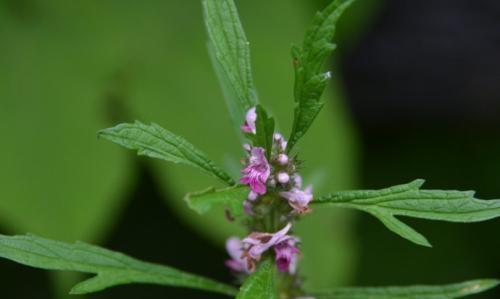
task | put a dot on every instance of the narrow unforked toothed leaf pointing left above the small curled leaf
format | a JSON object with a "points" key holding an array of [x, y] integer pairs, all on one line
{"points": [[156, 142]]}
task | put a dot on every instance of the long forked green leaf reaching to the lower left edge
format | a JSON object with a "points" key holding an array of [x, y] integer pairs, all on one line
{"points": [[111, 268]]}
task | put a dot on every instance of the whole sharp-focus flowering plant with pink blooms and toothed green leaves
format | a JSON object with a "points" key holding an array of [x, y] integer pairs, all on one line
{"points": [[270, 196]]}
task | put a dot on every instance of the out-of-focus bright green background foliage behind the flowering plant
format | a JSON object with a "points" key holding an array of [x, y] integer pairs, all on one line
{"points": [[70, 68]]}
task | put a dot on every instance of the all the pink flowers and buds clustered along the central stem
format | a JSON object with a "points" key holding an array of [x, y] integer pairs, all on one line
{"points": [[273, 175]]}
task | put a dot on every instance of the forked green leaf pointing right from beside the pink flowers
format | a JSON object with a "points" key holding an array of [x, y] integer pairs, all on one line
{"points": [[409, 200]]}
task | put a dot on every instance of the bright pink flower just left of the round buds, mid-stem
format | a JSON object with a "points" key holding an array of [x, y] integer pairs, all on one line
{"points": [[257, 171]]}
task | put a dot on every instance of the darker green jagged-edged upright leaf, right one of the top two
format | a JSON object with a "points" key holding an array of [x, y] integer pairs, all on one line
{"points": [[310, 80]]}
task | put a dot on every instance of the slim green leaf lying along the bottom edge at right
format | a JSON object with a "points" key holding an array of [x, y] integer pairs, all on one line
{"points": [[450, 291]]}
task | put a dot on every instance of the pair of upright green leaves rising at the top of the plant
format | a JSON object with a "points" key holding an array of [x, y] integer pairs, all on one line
{"points": [[229, 50]]}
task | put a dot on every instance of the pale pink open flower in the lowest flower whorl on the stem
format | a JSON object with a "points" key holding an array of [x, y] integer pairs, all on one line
{"points": [[257, 243]]}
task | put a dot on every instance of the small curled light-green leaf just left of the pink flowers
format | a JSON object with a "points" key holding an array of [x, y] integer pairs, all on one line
{"points": [[206, 200]]}
